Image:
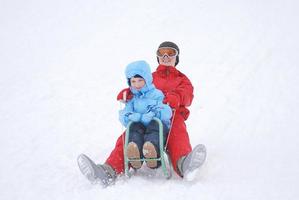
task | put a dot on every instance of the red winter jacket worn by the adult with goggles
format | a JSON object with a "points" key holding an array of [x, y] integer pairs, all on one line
{"points": [[170, 80]]}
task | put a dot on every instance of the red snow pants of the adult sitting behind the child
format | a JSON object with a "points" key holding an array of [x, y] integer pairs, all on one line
{"points": [[178, 146]]}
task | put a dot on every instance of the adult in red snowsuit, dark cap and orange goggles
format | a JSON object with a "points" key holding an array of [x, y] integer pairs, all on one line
{"points": [[178, 92]]}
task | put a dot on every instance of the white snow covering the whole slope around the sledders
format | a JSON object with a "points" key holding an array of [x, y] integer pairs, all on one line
{"points": [[62, 65]]}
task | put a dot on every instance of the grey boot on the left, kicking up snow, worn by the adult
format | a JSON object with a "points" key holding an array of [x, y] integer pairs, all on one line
{"points": [[103, 174]]}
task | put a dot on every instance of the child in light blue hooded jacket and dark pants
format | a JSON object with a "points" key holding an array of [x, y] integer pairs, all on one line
{"points": [[147, 103]]}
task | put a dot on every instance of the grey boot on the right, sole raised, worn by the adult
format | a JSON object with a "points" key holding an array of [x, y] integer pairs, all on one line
{"points": [[190, 164]]}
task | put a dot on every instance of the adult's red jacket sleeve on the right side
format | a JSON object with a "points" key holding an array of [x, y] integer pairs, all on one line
{"points": [[184, 91]]}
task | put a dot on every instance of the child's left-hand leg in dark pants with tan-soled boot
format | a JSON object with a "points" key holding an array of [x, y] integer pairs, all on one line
{"points": [[134, 148]]}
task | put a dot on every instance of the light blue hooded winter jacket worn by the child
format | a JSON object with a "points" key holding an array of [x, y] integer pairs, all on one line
{"points": [[147, 99]]}
